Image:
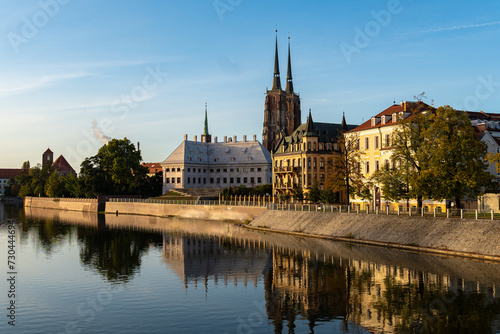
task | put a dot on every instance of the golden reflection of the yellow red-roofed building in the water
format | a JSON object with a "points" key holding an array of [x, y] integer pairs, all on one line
{"points": [[391, 299]]}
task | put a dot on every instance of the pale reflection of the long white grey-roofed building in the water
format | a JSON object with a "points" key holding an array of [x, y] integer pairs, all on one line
{"points": [[203, 258]]}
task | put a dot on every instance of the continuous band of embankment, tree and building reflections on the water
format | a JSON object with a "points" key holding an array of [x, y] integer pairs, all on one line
{"points": [[306, 281]]}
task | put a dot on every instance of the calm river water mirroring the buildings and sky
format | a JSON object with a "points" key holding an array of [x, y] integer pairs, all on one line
{"points": [[84, 273]]}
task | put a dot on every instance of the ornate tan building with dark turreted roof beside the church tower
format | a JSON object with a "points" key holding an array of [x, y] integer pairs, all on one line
{"points": [[302, 159]]}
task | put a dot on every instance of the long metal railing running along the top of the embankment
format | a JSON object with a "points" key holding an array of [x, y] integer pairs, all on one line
{"points": [[343, 209]]}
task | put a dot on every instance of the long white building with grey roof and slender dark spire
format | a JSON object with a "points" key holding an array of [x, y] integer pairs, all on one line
{"points": [[213, 164]]}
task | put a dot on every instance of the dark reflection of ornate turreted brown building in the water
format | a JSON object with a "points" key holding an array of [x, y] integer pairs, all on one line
{"points": [[300, 285]]}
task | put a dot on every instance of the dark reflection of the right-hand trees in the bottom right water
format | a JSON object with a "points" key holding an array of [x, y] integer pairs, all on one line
{"points": [[436, 308]]}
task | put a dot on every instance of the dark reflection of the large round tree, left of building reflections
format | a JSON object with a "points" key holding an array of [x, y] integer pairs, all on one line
{"points": [[115, 254]]}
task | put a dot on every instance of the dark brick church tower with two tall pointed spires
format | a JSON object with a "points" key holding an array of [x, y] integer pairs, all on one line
{"points": [[282, 107]]}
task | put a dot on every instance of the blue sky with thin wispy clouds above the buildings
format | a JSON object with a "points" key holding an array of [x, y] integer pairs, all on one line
{"points": [[75, 73]]}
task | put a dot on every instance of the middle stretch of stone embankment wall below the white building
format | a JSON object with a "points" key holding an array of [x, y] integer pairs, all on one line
{"points": [[216, 212]]}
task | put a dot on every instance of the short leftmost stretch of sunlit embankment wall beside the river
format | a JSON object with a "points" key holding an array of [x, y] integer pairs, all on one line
{"points": [[69, 204]]}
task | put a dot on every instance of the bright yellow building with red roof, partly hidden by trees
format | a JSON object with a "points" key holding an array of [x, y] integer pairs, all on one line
{"points": [[376, 148]]}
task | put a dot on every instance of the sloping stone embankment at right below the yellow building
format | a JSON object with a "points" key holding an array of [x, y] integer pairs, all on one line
{"points": [[475, 238]]}
